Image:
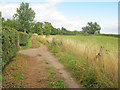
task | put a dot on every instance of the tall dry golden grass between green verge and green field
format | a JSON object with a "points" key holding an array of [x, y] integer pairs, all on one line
{"points": [[103, 61]]}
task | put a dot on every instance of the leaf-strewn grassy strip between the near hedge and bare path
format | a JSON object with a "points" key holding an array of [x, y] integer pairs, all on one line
{"points": [[13, 74]]}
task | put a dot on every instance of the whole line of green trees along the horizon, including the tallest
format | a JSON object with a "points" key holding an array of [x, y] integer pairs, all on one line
{"points": [[23, 21]]}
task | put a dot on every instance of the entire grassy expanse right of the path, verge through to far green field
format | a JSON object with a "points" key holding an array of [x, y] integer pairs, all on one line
{"points": [[92, 59]]}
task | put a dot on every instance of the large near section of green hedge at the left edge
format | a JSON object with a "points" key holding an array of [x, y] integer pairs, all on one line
{"points": [[9, 44]]}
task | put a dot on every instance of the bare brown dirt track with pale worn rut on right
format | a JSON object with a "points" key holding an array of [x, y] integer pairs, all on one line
{"points": [[36, 75]]}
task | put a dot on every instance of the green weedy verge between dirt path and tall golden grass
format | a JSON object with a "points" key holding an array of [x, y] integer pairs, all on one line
{"points": [[89, 74]]}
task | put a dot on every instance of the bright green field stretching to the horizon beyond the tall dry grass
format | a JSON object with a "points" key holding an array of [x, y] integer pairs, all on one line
{"points": [[109, 43]]}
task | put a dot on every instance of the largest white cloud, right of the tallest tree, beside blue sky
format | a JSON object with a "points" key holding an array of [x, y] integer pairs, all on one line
{"points": [[48, 12]]}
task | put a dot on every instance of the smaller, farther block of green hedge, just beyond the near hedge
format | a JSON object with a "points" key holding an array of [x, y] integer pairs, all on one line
{"points": [[23, 38]]}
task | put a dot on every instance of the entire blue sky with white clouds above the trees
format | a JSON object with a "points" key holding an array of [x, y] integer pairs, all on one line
{"points": [[71, 14]]}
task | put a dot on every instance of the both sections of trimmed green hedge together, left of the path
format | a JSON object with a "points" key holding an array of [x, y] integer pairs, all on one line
{"points": [[11, 39]]}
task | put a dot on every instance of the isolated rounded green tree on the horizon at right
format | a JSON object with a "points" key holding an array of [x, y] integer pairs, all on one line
{"points": [[92, 28]]}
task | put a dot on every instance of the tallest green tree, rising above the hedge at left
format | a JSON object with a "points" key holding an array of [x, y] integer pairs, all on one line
{"points": [[25, 16]]}
